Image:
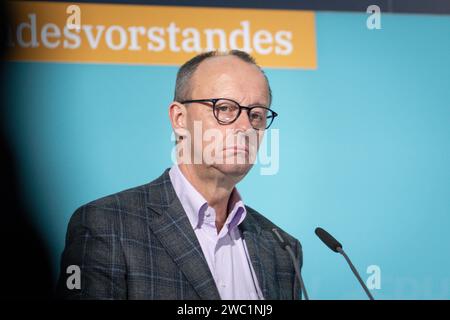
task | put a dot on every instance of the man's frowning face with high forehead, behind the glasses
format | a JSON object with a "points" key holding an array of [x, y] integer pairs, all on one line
{"points": [[229, 148]]}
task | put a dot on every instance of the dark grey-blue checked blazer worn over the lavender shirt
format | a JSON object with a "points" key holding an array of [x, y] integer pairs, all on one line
{"points": [[139, 244]]}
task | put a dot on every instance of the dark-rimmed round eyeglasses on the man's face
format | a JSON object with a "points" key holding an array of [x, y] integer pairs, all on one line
{"points": [[226, 111]]}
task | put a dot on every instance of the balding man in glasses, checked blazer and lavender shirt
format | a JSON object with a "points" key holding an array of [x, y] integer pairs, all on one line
{"points": [[188, 234]]}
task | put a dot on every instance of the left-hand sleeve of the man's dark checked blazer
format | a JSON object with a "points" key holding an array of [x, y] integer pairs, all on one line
{"points": [[93, 245]]}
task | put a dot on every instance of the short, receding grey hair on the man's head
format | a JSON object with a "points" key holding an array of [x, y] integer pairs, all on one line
{"points": [[186, 71]]}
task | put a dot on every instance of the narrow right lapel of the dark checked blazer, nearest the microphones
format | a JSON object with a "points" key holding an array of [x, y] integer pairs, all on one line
{"points": [[261, 256]]}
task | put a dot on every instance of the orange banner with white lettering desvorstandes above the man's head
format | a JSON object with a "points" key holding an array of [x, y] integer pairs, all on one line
{"points": [[157, 35]]}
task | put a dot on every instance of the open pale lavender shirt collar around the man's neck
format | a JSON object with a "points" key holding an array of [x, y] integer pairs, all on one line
{"points": [[195, 205]]}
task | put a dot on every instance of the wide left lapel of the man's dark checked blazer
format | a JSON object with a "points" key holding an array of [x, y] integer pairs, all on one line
{"points": [[171, 226]]}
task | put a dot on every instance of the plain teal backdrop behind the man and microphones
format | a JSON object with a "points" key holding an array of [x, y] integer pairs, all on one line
{"points": [[364, 149]]}
